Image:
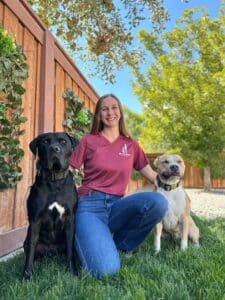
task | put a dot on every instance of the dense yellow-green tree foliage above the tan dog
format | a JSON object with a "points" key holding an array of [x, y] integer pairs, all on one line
{"points": [[183, 90]]}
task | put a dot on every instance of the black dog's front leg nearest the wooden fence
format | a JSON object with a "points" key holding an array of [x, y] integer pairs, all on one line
{"points": [[29, 248]]}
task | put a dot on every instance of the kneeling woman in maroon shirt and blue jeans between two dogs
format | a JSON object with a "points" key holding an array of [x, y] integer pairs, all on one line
{"points": [[107, 221]]}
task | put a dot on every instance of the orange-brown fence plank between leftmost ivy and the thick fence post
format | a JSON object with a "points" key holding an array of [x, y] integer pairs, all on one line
{"points": [[30, 49]]}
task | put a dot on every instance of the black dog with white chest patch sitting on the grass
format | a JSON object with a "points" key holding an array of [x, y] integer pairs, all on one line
{"points": [[51, 202]]}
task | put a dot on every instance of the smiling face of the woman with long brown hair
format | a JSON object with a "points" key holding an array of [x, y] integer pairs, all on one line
{"points": [[110, 112]]}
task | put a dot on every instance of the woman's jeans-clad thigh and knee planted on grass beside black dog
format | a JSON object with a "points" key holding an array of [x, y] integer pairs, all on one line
{"points": [[95, 246]]}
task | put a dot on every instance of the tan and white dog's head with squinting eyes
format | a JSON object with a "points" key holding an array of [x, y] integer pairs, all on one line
{"points": [[170, 168]]}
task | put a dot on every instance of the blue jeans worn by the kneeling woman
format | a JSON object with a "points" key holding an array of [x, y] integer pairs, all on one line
{"points": [[106, 224]]}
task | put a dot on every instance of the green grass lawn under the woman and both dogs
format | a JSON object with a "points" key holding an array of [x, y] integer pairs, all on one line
{"points": [[193, 274]]}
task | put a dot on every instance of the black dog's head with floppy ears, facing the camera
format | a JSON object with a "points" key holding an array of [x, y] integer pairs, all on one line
{"points": [[53, 150]]}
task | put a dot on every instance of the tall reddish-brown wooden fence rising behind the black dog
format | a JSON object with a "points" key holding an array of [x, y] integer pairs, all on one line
{"points": [[51, 71]]}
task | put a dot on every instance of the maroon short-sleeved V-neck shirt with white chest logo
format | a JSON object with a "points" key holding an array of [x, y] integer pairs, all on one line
{"points": [[107, 165]]}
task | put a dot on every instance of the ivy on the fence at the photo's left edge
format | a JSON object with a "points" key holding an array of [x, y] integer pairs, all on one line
{"points": [[13, 72]]}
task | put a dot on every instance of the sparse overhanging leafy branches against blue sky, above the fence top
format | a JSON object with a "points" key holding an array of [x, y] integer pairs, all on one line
{"points": [[100, 31]]}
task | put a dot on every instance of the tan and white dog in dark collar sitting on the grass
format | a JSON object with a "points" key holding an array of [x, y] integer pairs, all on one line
{"points": [[170, 169]]}
